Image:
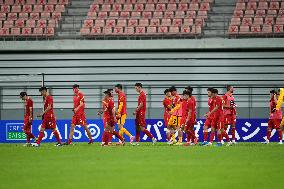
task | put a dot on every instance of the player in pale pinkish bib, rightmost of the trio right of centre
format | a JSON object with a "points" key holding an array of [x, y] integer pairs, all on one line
{"points": [[230, 111]]}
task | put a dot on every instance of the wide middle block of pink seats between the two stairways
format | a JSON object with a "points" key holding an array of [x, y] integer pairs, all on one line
{"points": [[146, 18]]}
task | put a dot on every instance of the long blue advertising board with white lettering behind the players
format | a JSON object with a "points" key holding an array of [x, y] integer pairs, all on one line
{"points": [[248, 130]]}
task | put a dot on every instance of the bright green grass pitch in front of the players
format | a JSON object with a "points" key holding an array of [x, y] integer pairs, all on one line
{"points": [[82, 166]]}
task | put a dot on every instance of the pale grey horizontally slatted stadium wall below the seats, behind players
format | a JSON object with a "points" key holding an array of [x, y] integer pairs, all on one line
{"points": [[252, 66]]}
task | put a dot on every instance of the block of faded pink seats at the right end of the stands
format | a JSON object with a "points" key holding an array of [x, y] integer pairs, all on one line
{"points": [[257, 17]]}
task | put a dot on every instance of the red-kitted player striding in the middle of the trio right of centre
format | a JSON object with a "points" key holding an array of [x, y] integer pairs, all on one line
{"points": [[218, 119]]}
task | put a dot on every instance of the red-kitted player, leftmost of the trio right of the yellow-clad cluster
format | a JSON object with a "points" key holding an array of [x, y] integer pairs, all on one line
{"points": [[209, 119]]}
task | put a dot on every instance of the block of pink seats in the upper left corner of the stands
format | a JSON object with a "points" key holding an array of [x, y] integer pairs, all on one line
{"points": [[30, 18]]}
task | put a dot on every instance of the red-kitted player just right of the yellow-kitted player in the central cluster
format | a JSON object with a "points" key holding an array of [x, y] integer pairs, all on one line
{"points": [[188, 116]]}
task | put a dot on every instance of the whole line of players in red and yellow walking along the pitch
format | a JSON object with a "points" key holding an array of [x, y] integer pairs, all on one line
{"points": [[179, 116]]}
